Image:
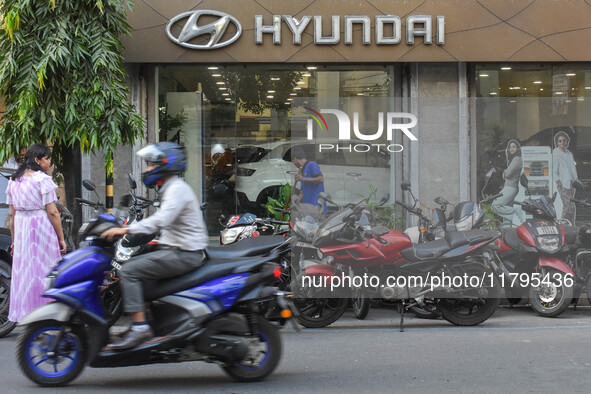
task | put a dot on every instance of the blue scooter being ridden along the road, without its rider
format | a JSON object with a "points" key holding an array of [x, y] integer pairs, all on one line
{"points": [[59, 338]]}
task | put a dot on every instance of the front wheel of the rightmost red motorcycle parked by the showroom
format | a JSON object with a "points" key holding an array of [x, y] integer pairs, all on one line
{"points": [[551, 299]]}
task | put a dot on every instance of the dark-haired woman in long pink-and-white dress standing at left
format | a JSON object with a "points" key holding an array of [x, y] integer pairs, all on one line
{"points": [[37, 236]]}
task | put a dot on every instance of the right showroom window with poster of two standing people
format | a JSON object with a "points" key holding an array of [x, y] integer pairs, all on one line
{"points": [[534, 105]]}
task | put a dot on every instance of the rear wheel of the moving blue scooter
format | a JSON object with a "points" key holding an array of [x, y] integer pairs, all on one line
{"points": [[263, 355]]}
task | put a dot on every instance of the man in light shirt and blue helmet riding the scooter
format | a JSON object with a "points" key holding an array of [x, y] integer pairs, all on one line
{"points": [[183, 236]]}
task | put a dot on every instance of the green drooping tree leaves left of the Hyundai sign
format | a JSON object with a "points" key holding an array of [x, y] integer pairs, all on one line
{"points": [[62, 76]]}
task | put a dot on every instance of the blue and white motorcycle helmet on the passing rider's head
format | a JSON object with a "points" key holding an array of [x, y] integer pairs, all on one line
{"points": [[169, 158]]}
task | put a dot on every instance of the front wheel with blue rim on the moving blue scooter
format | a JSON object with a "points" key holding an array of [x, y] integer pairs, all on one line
{"points": [[46, 368]]}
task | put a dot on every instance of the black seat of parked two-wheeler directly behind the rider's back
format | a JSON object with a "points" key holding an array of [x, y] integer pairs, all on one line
{"points": [[247, 247]]}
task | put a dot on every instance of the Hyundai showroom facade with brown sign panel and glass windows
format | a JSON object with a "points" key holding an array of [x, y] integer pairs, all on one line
{"points": [[237, 83]]}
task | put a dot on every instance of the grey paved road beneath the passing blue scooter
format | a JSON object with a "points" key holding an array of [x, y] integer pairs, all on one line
{"points": [[514, 351]]}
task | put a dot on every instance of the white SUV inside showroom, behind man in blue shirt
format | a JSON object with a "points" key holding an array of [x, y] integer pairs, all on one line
{"points": [[346, 174]]}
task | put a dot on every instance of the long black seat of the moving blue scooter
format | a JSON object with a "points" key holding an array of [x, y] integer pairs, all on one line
{"points": [[211, 270]]}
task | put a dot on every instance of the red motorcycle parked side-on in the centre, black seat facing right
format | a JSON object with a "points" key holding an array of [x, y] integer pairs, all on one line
{"points": [[455, 275]]}
